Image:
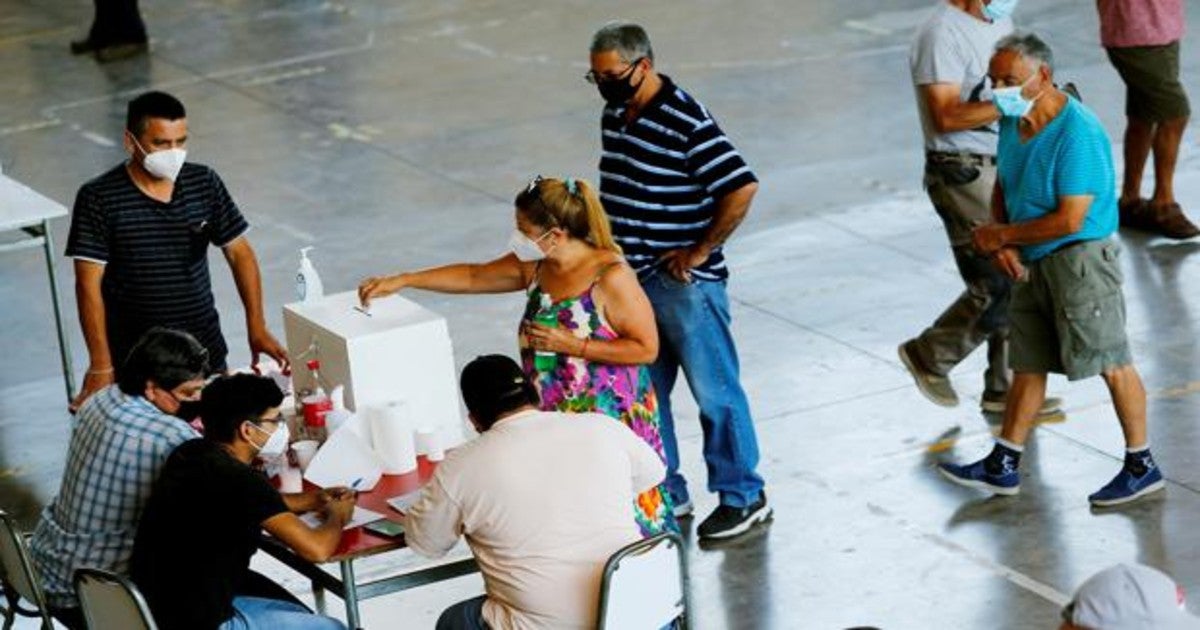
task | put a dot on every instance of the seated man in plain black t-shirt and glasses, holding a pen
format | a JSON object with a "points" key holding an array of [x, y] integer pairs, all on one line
{"points": [[203, 521]]}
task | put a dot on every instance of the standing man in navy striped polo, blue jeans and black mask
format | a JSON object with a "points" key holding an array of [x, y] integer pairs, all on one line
{"points": [[675, 190]]}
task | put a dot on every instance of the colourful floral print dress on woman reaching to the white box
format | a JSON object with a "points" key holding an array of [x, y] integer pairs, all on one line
{"points": [[621, 392]]}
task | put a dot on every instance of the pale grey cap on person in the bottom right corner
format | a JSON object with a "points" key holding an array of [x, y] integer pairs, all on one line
{"points": [[1129, 597]]}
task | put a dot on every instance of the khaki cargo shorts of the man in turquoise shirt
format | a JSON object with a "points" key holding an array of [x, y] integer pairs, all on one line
{"points": [[1069, 316]]}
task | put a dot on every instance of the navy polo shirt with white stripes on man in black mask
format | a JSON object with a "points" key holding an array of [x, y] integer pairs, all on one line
{"points": [[662, 176]]}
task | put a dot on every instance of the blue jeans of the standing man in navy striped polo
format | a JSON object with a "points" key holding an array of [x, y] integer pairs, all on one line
{"points": [[694, 334]]}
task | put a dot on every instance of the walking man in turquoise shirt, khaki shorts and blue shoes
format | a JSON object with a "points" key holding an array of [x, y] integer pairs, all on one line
{"points": [[1055, 208]]}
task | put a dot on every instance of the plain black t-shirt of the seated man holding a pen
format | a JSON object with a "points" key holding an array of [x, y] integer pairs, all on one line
{"points": [[200, 529]]}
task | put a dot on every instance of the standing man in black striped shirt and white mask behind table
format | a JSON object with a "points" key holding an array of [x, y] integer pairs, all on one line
{"points": [[140, 237]]}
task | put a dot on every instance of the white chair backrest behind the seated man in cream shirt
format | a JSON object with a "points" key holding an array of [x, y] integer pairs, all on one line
{"points": [[645, 586]]}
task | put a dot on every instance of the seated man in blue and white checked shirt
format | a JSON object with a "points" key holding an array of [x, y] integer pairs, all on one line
{"points": [[121, 440]]}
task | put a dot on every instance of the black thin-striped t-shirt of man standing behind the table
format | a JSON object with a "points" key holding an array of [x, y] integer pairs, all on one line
{"points": [[155, 255]]}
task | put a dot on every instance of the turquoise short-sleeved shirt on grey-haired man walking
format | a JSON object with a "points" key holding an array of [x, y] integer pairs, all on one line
{"points": [[1071, 157]]}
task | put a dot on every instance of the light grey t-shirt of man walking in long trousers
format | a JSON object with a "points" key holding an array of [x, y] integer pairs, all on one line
{"points": [[955, 47]]}
